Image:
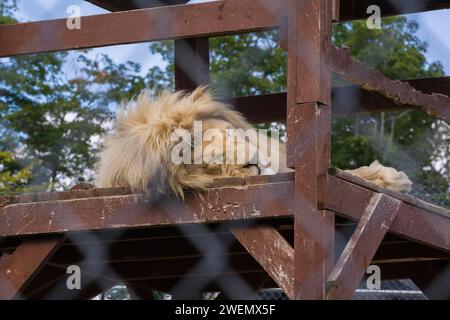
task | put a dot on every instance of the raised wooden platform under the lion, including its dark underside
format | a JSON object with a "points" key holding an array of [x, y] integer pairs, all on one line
{"points": [[163, 254]]}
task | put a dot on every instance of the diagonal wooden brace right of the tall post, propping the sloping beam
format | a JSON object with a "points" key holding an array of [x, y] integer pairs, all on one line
{"points": [[362, 246]]}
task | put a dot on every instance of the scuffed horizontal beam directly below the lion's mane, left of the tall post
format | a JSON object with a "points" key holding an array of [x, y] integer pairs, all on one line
{"points": [[132, 211]]}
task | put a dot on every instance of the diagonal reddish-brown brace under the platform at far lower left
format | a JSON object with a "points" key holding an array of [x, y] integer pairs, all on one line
{"points": [[19, 268]]}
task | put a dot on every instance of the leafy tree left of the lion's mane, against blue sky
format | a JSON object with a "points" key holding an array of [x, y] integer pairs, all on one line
{"points": [[53, 115]]}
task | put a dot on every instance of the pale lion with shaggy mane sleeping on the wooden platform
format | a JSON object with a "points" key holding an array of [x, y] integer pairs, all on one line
{"points": [[139, 152]]}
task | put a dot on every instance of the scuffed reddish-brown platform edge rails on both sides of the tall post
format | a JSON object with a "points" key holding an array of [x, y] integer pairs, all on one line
{"points": [[416, 219]]}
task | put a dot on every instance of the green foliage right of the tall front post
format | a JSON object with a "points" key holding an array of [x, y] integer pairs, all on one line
{"points": [[405, 140]]}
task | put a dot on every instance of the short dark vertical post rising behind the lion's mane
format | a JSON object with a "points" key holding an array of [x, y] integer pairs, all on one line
{"points": [[191, 63]]}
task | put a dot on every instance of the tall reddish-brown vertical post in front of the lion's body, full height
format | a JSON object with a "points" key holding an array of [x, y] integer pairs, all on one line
{"points": [[309, 132]]}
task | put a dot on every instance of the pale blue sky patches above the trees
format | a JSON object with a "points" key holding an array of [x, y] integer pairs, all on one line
{"points": [[434, 29]]}
